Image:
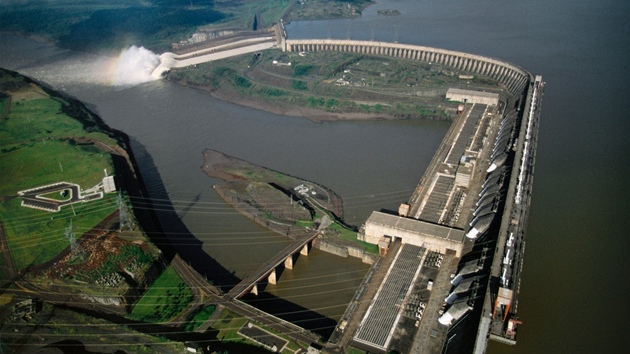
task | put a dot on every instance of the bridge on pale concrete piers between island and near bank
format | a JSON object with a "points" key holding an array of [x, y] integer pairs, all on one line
{"points": [[268, 269]]}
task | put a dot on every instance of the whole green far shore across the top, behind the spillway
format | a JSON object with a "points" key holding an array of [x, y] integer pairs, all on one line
{"points": [[94, 25]]}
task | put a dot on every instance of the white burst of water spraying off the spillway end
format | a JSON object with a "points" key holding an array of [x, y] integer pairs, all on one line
{"points": [[134, 65]]}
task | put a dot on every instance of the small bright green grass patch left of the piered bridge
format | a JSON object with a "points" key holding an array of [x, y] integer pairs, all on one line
{"points": [[167, 297]]}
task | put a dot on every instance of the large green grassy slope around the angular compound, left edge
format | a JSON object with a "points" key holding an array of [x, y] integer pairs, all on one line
{"points": [[38, 148]]}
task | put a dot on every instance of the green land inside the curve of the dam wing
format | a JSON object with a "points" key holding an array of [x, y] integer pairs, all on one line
{"points": [[334, 82]]}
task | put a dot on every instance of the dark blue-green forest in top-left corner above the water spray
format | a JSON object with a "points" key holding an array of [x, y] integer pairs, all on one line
{"points": [[95, 25]]}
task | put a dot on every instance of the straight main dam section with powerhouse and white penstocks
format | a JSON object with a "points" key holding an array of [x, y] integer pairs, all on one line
{"points": [[470, 207]]}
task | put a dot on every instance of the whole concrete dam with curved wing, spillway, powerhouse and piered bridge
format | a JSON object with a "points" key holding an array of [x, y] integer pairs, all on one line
{"points": [[448, 277]]}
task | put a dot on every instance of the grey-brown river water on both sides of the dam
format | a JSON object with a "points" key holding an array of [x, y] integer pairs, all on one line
{"points": [[576, 264]]}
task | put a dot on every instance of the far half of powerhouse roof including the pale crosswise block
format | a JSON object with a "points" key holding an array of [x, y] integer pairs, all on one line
{"points": [[434, 220]]}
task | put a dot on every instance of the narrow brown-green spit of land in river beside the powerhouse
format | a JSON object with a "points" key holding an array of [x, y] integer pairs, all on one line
{"points": [[288, 205]]}
